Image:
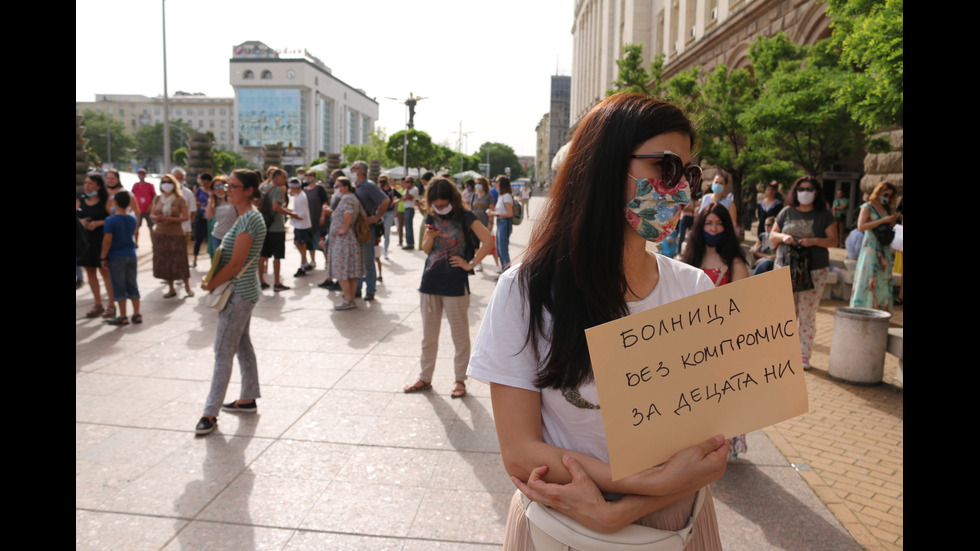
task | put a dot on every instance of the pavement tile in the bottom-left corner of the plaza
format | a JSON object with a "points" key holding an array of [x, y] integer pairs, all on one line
{"points": [[97, 531]]}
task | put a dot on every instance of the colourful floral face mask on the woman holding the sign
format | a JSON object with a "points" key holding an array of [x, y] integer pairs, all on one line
{"points": [[655, 210]]}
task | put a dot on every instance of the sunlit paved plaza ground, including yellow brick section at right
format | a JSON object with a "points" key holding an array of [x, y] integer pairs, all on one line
{"points": [[338, 457]]}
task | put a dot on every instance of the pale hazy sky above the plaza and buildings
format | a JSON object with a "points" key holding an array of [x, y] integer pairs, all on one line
{"points": [[487, 65]]}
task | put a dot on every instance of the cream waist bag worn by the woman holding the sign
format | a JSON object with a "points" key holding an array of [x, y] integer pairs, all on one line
{"points": [[552, 530]]}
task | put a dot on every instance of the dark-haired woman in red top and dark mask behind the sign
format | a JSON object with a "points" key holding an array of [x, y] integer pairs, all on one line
{"points": [[714, 248]]}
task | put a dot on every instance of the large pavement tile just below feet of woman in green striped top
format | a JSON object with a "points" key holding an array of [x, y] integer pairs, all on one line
{"points": [[185, 481]]}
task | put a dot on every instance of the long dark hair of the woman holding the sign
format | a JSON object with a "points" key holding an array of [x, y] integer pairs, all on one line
{"points": [[573, 267]]}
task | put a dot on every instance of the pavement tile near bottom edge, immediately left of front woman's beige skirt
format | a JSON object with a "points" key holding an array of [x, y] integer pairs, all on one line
{"points": [[458, 515]]}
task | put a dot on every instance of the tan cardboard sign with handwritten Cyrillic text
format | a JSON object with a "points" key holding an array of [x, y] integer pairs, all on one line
{"points": [[725, 361]]}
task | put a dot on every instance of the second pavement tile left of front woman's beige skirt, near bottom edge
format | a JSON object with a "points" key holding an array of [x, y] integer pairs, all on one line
{"points": [[368, 509]]}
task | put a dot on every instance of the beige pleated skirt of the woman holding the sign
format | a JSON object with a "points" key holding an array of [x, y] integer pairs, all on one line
{"points": [[673, 517]]}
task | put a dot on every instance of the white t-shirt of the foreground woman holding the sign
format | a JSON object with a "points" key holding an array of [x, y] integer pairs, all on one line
{"points": [[499, 355]]}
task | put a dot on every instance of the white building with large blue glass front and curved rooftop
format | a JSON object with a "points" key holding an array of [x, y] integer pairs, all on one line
{"points": [[297, 101]]}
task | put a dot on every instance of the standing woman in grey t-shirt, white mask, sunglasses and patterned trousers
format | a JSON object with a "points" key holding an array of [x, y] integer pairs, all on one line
{"points": [[803, 232]]}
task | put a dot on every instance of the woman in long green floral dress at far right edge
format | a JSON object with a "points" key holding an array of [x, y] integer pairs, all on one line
{"points": [[873, 276]]}
